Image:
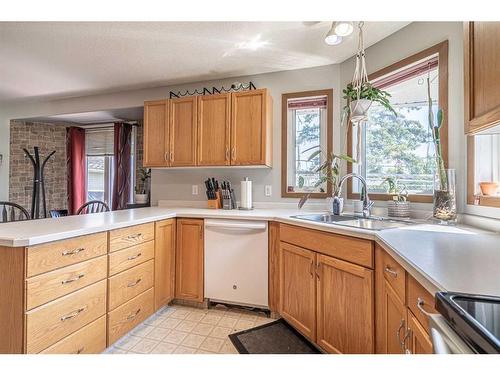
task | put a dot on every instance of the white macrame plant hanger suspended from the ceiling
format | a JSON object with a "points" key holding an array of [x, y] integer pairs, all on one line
{"points": [[359, 79]]}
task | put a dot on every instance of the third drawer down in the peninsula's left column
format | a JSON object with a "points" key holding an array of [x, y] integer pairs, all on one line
{"points": [[51, 322]]}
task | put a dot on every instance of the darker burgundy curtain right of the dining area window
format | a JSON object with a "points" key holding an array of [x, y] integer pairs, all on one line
{"points": [[121, 186]]}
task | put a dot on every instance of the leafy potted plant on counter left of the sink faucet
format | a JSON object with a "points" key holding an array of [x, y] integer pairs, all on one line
{"points": [[330, 172]]}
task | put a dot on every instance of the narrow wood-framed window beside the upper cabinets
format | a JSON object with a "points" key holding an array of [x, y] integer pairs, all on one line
{"points": [[306, 128]]}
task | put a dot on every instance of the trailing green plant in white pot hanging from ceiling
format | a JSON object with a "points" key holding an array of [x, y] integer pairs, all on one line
{"points": [[360, 99]]}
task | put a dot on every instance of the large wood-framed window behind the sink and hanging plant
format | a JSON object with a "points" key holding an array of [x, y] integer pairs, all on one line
{"points": [[401, 146]]}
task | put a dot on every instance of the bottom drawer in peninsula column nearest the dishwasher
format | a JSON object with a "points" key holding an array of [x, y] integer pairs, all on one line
{"points": [[130, 314]]}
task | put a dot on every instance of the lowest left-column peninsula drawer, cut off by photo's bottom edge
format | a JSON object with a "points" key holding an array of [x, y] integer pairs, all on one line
{"points": [[90, 339]]}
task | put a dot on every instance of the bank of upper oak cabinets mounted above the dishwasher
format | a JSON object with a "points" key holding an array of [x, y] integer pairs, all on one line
{"points": [[212, 130]]}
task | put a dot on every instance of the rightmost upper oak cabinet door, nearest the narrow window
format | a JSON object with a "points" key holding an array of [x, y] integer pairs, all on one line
{"points": [[251, 122]]}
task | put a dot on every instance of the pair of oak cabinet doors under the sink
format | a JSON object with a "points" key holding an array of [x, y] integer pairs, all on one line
{"points": [[330, 301]]}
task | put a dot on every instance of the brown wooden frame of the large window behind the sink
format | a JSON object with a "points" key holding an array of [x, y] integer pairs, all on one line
{"points": [[441, 49]]}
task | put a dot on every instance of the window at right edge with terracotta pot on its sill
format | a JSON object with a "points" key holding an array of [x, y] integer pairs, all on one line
{"points": [[484, 168]]}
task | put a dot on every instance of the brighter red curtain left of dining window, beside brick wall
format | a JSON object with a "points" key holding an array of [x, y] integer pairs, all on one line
{"points": [[75, 154]]}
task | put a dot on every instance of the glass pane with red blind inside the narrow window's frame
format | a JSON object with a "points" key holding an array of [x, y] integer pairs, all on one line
{"points": [[307, 119]]}
